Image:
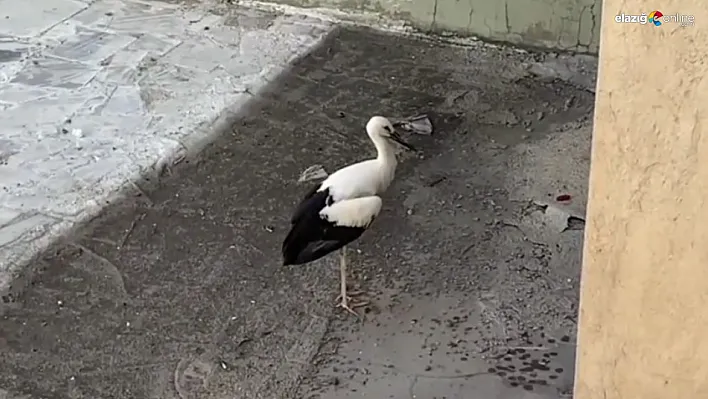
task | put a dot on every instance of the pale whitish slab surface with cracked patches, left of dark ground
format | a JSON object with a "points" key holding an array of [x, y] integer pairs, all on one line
{"points": [[94, 94]]}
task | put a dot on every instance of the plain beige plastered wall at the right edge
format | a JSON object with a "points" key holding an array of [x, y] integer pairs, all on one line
{"points": [[644, 296]]}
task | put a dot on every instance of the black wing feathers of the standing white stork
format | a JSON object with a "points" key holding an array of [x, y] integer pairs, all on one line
{"points": [[312, 237]]}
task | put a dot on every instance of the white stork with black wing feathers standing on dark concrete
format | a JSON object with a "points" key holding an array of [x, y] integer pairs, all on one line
{"points": [[337, 211]]}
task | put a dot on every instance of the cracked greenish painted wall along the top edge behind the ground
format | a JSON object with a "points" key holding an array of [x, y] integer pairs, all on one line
{"points": [[557, 24]]}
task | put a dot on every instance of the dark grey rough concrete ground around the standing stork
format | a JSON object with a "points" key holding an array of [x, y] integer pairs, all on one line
{"points": [[473, 266]]}
